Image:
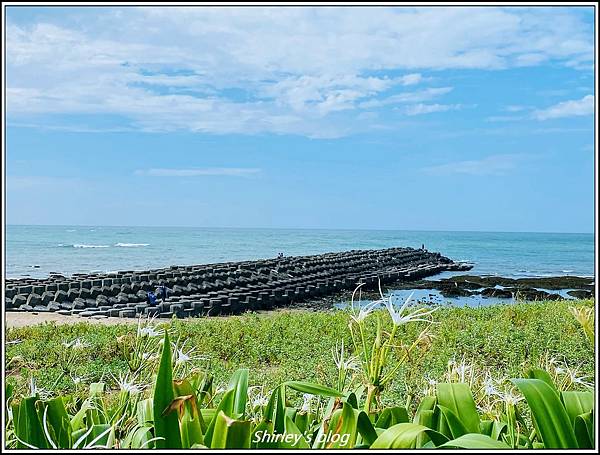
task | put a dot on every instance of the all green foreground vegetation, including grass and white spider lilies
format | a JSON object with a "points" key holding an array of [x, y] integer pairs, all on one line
{"points": [[167, 396]]}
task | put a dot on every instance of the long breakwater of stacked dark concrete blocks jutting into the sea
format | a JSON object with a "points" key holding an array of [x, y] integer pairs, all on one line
{"points": [[223, 288]]}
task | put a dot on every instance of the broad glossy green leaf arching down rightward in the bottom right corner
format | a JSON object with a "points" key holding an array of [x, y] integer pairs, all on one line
{"points": [[550, 418]]}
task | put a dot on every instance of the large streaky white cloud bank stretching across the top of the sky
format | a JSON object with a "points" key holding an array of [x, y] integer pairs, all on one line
{"points": [[276, 70]]}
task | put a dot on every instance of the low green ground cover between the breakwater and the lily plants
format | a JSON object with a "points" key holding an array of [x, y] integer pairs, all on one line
{"points": [[292, 344]]}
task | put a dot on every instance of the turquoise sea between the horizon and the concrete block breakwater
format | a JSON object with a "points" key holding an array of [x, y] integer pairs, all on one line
{"points": [[36, 251]]}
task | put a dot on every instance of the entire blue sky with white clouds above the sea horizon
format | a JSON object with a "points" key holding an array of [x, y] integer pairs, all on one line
{"points": [[346, 118]]}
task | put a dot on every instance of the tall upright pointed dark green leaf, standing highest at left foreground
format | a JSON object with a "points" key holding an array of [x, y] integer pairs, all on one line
{"points": [[165, 425]]}
